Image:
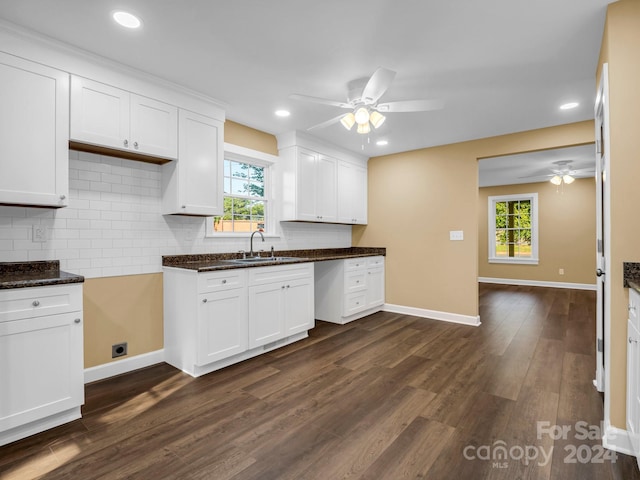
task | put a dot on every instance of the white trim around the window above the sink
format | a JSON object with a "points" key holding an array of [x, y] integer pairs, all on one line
{"points": [[255, 157]]}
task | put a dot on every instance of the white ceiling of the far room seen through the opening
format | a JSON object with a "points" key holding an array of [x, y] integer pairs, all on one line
{"points": [[537, 166]]}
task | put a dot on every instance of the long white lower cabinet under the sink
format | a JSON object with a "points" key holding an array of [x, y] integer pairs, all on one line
{"points": [[214, 319]]}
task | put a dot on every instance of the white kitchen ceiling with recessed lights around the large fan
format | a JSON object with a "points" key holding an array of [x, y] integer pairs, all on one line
{"points": [[501, 66]]}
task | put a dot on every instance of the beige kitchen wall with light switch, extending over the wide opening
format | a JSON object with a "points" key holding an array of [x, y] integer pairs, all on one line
{"points": [[433, 191]]}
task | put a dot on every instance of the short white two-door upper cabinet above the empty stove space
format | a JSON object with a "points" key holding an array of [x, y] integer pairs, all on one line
{"points": [[109, 117]]}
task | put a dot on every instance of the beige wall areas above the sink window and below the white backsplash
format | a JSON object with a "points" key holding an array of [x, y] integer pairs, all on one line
{"points": [[129, 308]]}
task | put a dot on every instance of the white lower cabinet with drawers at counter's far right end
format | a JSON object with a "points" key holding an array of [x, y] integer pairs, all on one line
{"points": [[346, 290]]}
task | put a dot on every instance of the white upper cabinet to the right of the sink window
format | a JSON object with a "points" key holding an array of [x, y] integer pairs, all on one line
{"points": [[321, 183]]}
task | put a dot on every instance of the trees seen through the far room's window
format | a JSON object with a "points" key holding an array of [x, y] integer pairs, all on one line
{"points": [[513, 228]]}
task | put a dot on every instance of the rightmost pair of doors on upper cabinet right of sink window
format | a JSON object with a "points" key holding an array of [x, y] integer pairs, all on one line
{"points": [[352, 193]]}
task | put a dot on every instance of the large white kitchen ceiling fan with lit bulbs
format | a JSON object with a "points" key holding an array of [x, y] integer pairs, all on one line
{"points": [[363, 101]]}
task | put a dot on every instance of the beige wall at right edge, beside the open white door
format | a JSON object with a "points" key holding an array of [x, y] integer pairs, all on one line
{"points": [[620, 47]]}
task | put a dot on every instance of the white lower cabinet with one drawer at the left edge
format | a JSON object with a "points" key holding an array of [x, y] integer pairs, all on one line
{"points": [[41, 359]]}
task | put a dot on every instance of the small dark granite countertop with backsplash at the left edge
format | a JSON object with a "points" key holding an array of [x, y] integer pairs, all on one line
{"points": [[35, 274]]}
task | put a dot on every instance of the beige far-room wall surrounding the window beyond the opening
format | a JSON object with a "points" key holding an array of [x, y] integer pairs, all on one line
{"points": [[566, 233]]}
